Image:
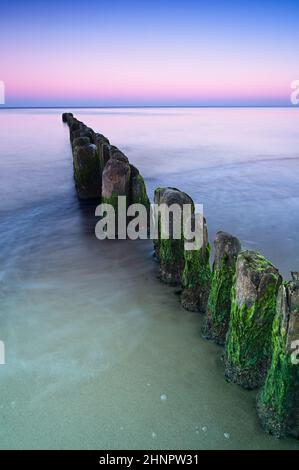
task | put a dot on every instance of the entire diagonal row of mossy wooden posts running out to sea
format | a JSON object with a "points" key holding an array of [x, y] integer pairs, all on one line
{"points": [[247, 306]]}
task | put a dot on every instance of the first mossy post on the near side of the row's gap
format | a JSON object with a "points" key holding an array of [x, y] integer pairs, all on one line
{"points": [[169, 249]]}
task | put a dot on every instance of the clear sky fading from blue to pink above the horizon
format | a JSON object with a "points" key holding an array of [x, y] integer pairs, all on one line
{"points": [[148, 53]]}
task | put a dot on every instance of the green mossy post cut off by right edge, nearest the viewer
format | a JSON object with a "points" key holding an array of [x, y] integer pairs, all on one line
{"points": [[278, 401]]}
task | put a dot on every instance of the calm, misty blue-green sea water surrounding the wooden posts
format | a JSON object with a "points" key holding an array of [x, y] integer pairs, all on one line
{"points": [[93, 340]]}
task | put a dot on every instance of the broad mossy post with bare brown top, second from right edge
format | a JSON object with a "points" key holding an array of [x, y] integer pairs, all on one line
{"points": [[248, 345]]}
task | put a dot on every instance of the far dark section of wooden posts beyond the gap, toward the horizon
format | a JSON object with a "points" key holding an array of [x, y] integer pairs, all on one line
{"points": [[101, 171]]}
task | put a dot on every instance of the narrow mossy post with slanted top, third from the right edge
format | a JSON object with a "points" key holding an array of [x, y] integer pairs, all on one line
{"points": [[227, 248]]}
